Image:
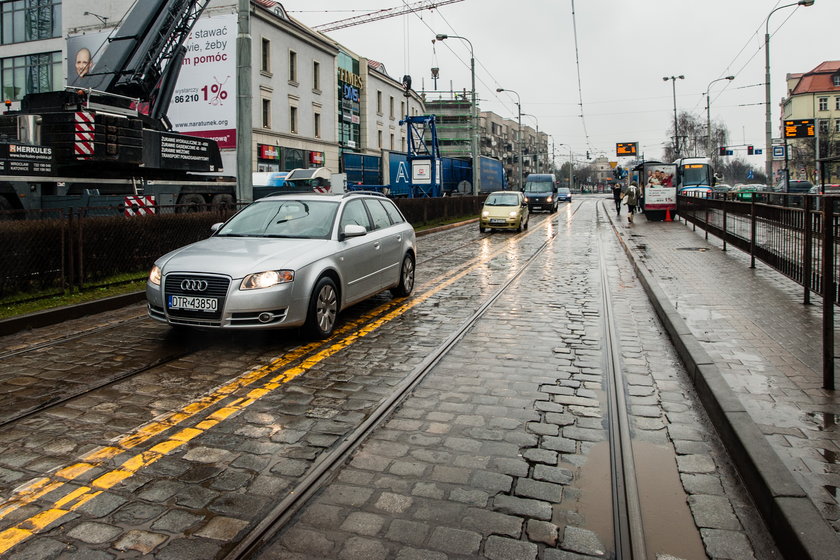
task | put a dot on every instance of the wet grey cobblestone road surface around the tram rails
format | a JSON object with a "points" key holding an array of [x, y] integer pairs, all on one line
{"points": [[499, 453]]}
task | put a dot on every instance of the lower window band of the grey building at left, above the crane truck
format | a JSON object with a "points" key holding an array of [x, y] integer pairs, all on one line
{"points": [[32, 73]]}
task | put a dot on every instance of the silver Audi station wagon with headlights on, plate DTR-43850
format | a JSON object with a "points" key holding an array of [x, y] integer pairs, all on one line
{"points": [[284, 261]]}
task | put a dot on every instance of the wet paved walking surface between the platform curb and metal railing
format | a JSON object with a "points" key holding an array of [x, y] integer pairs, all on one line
{"points": [[765, 342]]}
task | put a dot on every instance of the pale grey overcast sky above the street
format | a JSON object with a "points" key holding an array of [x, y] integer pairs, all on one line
{"points": [[625, 48]]}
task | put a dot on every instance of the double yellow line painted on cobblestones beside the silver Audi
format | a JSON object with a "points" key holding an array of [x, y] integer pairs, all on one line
{"points": [[20, 532]]}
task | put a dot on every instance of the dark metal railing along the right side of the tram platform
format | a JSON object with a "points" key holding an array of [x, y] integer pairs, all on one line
{"points": [[788, 233]]}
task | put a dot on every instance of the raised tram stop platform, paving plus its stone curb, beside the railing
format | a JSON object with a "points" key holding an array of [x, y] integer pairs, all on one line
{"points": [[753, 349]]}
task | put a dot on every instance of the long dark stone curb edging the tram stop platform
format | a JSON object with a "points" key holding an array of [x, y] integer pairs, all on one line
{"points": [[798, 528]]}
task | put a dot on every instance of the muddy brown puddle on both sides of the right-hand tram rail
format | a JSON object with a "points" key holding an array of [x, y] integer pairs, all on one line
{"points": [[669, 526]]}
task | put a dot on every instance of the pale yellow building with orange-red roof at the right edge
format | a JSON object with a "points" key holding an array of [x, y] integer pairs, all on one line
{"points": [[814, 95]]}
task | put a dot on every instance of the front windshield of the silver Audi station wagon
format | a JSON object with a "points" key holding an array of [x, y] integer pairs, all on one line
{"points": [[300, 219]]}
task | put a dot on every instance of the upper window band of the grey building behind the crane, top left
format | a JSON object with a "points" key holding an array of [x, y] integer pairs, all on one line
{"points": [[30, 20]]}
